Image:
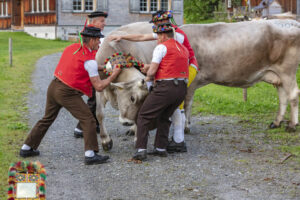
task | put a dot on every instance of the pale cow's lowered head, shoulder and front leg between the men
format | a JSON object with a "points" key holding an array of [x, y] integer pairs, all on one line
{"points": [[129, 90]]}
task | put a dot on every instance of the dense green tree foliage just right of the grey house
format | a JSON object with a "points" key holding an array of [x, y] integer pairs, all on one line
{"points": [[197, 10]]}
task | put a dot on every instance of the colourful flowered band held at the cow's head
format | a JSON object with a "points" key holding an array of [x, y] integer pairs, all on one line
{"points": [[121, 60]]}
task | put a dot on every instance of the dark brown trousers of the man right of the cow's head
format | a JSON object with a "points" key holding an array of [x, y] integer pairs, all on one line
{"points": [[159, 105]]}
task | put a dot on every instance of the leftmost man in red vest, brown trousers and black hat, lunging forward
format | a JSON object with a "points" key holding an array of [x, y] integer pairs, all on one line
{"points": [[76, 74]]}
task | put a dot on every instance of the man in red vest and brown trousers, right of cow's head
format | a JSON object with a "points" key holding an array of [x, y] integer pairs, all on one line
{"points": [[169, 70]]}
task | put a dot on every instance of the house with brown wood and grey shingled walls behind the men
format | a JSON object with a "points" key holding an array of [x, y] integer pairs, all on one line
{"points": [[63, 18]]}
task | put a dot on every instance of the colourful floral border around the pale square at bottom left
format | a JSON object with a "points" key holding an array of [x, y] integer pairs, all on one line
{"points": [[36, 171]]}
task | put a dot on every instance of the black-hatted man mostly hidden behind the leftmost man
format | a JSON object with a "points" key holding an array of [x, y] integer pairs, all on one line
{"points": [[96, 19]]}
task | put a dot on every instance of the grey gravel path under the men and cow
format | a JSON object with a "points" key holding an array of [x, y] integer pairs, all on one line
{"points": [[225, 159]]}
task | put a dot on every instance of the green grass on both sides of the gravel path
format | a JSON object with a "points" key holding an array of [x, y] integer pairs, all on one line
{"points": [[15, 82]]}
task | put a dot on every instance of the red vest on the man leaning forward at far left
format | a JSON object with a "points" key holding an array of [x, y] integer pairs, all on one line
{"points": [[70, 69]]}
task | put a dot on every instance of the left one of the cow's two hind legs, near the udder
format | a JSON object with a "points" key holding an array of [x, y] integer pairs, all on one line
{"points": [[283, 102]]}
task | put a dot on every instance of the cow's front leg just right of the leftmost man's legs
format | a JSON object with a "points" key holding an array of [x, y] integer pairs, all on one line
{"points": [[106, 141]]}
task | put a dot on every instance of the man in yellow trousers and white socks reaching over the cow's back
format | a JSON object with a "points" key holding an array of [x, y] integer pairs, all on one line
{"points": [[177, 143]]}
